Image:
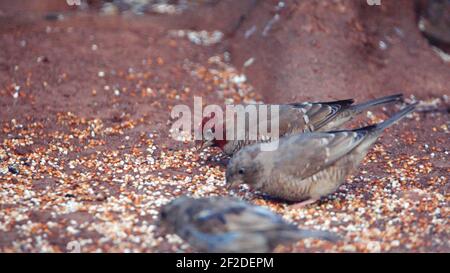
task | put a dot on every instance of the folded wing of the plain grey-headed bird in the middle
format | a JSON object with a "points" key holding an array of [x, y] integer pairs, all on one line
{"points": [[306, 154]]}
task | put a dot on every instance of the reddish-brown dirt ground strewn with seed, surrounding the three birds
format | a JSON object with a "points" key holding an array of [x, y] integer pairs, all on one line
{"points": [[86, 157]]}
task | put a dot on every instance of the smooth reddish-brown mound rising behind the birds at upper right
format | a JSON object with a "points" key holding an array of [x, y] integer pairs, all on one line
{"points": [[328, 50]]}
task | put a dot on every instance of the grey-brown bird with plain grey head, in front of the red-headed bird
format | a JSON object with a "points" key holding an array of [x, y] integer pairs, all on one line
{"points": [[306, 166]]}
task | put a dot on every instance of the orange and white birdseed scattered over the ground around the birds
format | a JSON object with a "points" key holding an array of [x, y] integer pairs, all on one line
{"points": [[72, 178]]}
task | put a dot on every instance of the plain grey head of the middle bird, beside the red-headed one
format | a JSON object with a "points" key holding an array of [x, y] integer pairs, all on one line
{"points": [[244, 169]]}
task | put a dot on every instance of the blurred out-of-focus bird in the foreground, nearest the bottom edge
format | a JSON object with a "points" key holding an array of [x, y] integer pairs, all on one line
{"points": [[227, 224]]}
